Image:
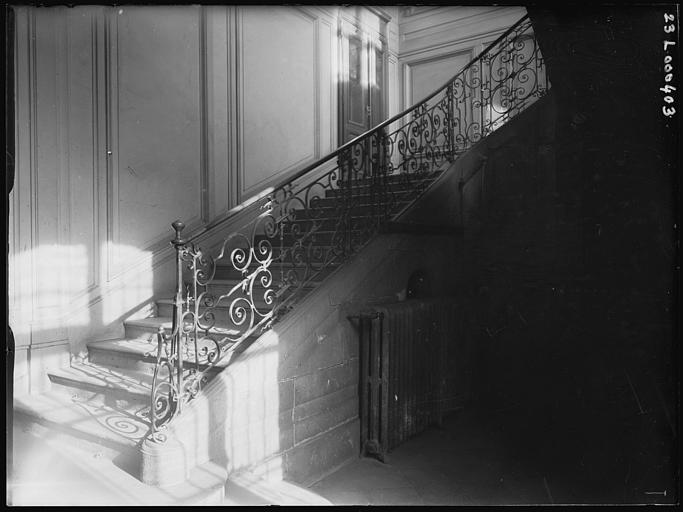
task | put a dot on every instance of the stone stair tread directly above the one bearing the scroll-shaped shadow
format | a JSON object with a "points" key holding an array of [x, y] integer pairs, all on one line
{"points": [[98, 375]]}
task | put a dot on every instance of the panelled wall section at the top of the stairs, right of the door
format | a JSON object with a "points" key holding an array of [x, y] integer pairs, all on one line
{"points": [[436, 42]]}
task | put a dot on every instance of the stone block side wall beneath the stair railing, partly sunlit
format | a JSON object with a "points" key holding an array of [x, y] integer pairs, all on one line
{"points": [[287, 406]]}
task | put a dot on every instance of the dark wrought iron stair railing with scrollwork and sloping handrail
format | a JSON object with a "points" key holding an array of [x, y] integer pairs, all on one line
{"points": [[325, 213]]}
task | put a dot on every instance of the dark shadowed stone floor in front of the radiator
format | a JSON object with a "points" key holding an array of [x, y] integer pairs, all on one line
{"points": [[489, 458]]}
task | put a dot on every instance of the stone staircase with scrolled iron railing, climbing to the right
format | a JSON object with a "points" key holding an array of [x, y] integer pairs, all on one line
{"points": [[302, 234]]}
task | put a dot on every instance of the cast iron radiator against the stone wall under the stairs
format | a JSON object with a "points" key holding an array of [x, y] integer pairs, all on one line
{"points": [[413, 357]]}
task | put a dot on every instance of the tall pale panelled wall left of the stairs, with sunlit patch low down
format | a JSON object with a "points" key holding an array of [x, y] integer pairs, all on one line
{"points": [[128, 118]]}
